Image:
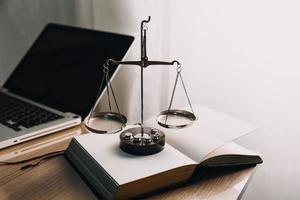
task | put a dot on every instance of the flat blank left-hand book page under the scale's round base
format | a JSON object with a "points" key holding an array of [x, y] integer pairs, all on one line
{"points": [[125, 168]]}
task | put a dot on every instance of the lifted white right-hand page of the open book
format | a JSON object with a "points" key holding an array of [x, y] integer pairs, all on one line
{"points": [[211, 130]]}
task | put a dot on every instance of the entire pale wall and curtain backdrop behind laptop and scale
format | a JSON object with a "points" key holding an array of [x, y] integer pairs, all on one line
{"points": [[240, 57]]}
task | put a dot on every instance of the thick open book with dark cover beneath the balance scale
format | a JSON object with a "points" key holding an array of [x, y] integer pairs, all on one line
{"points": [[114, 174]]}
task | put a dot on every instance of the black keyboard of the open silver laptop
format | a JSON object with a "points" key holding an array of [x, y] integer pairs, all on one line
{"points": [[17, 114]]}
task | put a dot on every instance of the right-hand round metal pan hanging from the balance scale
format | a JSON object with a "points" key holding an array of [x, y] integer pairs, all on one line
{"points": [[175, 119]]}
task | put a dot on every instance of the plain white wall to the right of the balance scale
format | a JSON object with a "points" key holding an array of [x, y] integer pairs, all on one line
{"points": [[242, 57]]}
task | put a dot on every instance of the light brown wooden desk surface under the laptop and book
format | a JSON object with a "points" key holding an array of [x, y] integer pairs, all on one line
{"points": [[57, 179]]}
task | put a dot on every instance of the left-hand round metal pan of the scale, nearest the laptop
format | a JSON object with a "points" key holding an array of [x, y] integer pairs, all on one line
{"points": [[106, 122]]}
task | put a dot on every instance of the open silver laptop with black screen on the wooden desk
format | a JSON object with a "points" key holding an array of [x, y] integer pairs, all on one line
{"points": [[56, 83]]}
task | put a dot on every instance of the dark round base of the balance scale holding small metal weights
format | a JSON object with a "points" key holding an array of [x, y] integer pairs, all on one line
{"points": [[132, 141]]}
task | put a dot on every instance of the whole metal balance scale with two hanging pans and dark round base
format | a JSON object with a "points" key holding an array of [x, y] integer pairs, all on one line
{"points": [[139, 140]]}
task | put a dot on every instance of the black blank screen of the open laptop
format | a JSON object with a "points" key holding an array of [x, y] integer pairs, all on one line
{"points": [[63, 68]]}
